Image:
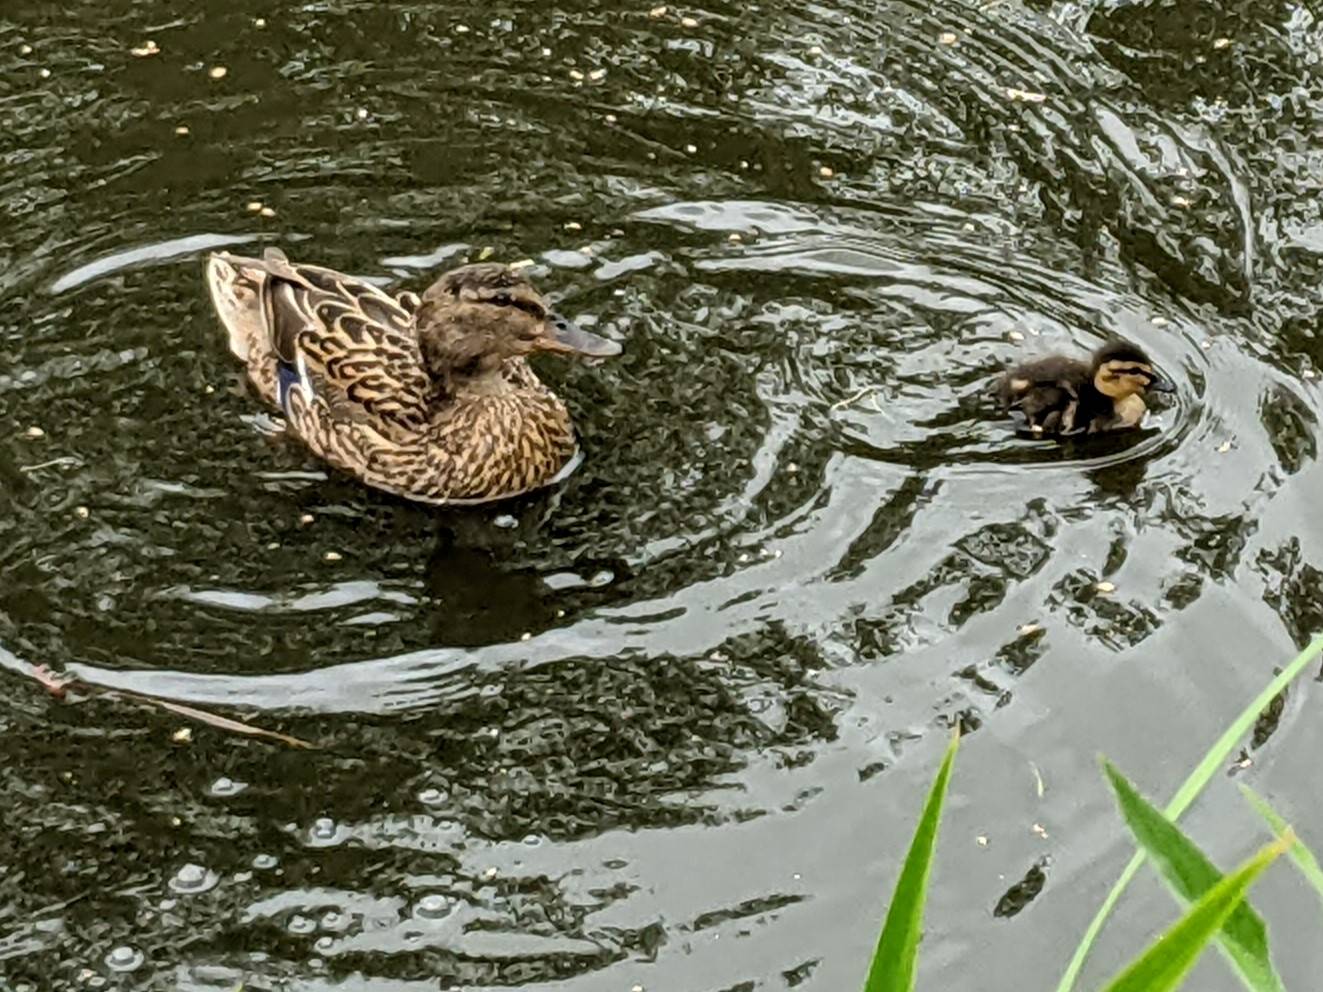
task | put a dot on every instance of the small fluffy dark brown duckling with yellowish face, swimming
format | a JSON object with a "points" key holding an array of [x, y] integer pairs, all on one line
{"points": [[1066, 396]]}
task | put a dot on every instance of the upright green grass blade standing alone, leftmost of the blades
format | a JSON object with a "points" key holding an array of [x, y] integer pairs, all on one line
{"points": [[898, 948]]}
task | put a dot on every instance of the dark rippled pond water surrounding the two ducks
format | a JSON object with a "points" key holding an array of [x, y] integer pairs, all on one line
{"points": [[669, 727]]}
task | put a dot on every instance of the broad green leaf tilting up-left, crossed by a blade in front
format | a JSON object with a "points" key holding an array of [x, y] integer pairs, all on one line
{"points": [[1190, 874]]}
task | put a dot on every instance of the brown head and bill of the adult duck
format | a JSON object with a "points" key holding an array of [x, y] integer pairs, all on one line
{"points": [[476, 318]]}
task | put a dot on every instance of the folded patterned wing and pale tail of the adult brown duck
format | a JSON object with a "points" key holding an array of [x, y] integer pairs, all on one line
{"points": [[341, 343]]}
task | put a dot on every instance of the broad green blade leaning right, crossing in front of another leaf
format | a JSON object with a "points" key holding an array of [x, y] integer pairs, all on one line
{"points": [[1170, 958]]}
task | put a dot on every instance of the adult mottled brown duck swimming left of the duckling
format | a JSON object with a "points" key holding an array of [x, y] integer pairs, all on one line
{"points": [[432, 397]]}
